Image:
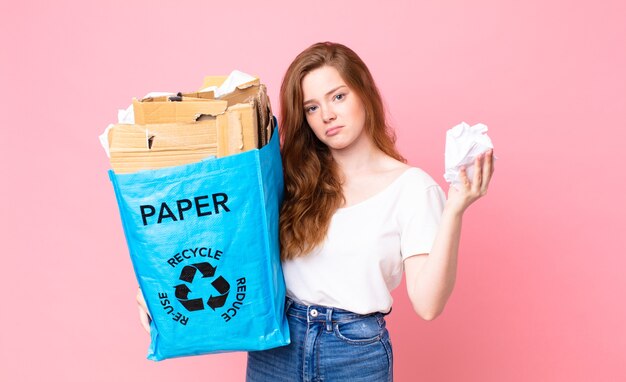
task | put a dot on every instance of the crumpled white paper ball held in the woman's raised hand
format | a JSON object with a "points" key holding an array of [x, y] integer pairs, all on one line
{"points": [[463, 144]]}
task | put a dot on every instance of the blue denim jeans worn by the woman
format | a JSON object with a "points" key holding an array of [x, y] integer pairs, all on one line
{"points": [[327, 344]]}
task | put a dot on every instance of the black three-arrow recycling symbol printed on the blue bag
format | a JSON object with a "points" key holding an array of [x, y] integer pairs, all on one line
{"points": [[187, 274]]}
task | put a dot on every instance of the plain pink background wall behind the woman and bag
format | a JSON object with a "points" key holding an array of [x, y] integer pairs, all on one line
{"points": [[541, 281]]}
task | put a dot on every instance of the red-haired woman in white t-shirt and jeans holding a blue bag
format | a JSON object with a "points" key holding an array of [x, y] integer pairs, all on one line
{"points": [[354, 217]]}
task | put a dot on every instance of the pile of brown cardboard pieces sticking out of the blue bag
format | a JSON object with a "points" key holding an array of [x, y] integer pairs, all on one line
{"points": [[198, 127]]}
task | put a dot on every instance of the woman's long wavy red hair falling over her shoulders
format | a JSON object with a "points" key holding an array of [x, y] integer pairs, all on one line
{"points": [[312, 184]]}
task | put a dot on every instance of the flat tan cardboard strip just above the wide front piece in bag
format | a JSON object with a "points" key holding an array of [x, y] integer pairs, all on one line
{"points": [[170, 112]]}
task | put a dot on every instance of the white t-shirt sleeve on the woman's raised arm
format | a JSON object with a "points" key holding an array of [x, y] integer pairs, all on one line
{"points": [[420, 222]]}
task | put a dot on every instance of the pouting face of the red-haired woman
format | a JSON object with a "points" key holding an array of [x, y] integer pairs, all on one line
{"points": [[334, 112]]}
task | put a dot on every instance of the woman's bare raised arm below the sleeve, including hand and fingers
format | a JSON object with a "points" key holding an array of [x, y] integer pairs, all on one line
{"points": [[430, 278]]}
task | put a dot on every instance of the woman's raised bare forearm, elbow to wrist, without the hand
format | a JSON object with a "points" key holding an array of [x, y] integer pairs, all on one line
{"points": [[435, 281]]}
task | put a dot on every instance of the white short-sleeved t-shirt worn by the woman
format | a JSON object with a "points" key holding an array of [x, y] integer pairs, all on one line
{"points": [[360, 261]]}
